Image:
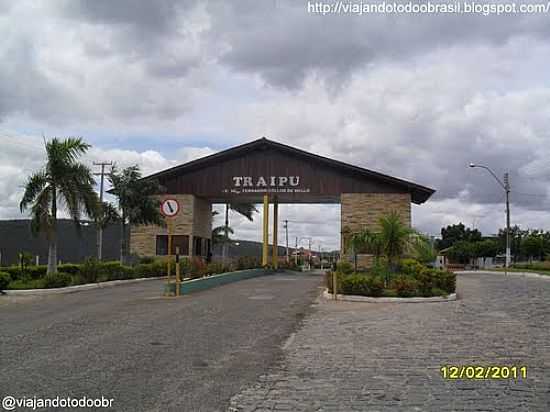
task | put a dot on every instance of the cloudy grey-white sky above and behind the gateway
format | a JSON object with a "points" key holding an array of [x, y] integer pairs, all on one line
{"points": [[160, 83]]}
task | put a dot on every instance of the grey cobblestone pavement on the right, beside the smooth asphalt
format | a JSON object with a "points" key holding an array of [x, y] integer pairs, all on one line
{"points": [[378, 357]]}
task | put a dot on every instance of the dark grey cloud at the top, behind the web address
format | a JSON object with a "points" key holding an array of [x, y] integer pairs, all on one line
{"points": [[283, 42]]}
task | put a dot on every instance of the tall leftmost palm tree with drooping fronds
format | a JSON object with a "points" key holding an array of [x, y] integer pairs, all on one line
{"points": [[65, 182]]}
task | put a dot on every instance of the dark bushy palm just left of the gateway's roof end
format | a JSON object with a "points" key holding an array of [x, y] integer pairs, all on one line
{"points": [[136, 202]]}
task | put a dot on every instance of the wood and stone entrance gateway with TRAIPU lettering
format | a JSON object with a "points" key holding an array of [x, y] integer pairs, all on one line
{"points": [[266, 172]]}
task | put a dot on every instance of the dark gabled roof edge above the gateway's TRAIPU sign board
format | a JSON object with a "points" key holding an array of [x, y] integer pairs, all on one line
{"points": [[419, 193]]}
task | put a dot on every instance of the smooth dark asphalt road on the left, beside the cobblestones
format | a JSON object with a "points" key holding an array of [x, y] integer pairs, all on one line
{"points": [[146, 352]]}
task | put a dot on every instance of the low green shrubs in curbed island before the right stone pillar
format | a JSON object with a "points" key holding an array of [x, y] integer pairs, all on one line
{"points": [[409, 280]]}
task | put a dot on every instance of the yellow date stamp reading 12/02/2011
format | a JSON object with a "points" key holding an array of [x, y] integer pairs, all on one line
{"points": [[485, 372]]}
